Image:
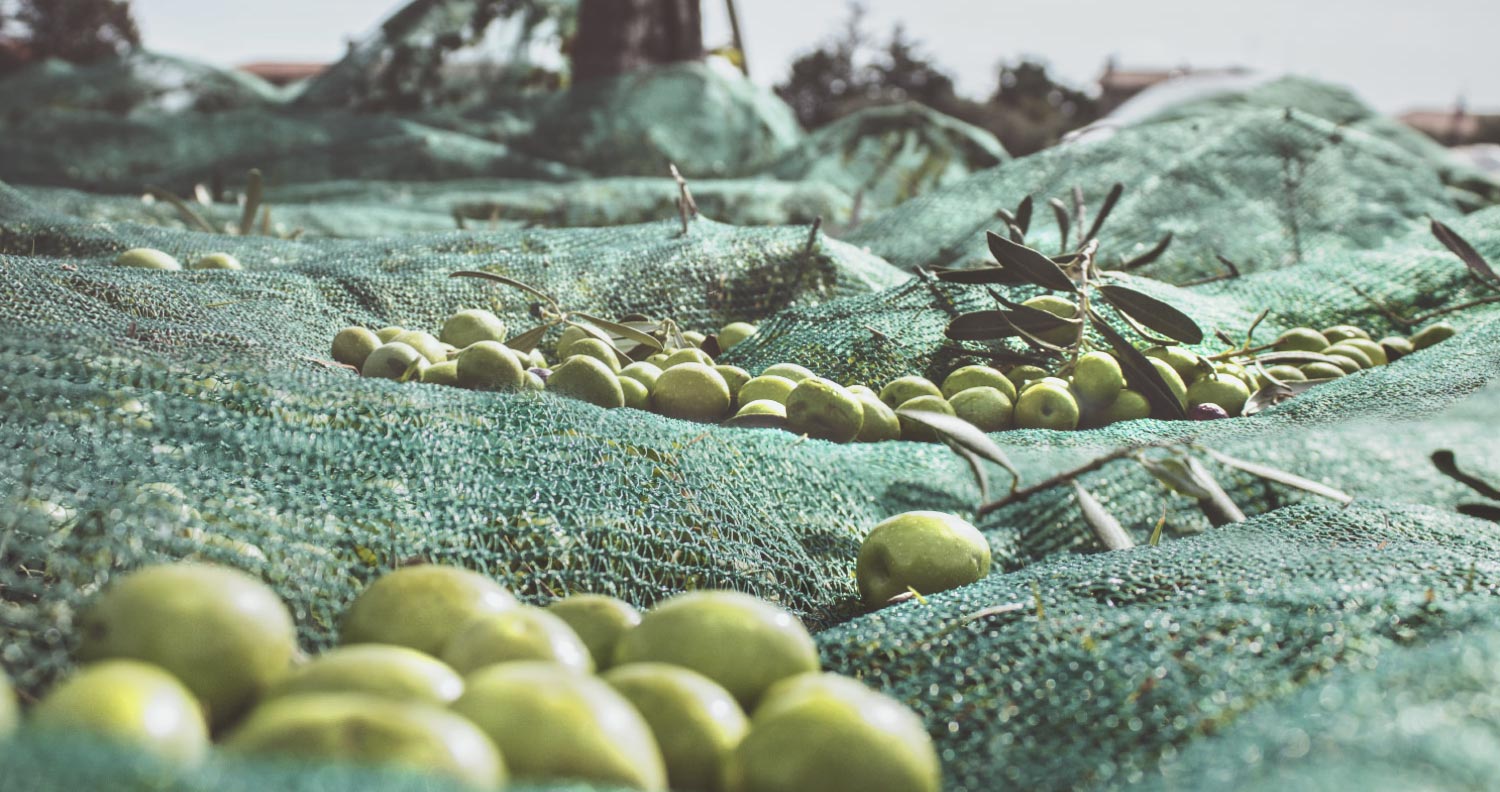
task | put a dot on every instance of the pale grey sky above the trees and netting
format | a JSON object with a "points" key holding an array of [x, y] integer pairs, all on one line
{"points": [[1394, 53]]}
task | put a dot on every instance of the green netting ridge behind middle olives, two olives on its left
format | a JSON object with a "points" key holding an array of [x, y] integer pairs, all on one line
{"points": [[296, 295]]}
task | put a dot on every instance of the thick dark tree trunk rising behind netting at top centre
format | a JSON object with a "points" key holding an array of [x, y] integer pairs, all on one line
{"points": [[617, 37]]}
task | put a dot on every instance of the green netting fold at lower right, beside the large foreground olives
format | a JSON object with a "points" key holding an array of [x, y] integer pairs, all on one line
{"points": [[1088, 673]]}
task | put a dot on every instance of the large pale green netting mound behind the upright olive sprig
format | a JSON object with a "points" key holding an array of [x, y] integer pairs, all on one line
{"points": [[1264, 188]]}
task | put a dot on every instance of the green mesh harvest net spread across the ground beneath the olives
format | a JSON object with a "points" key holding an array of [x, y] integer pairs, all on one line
{"points": [[151, 416]]}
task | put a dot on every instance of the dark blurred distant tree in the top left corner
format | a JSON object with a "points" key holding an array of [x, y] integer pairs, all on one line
{"points": [[74, 31]]}
